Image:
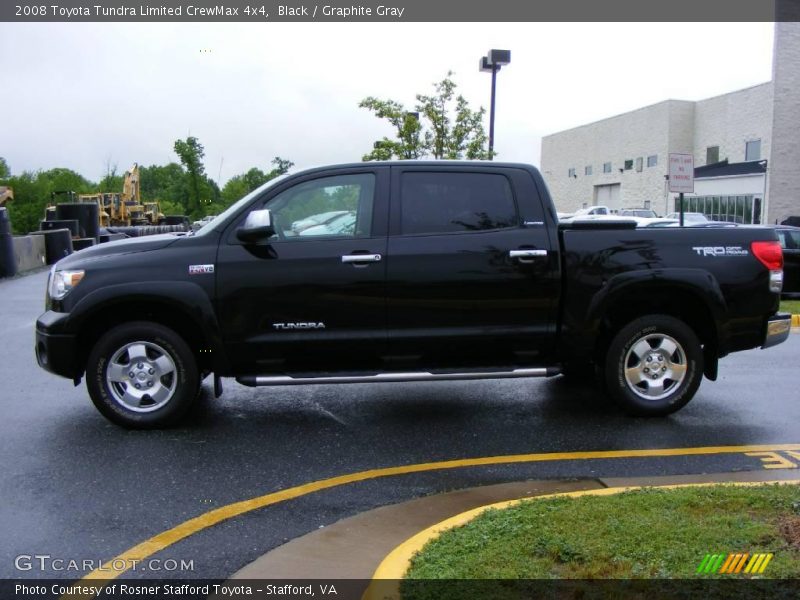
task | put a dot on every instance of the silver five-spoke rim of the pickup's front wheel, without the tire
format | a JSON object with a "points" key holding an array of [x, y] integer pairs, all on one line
{"points": [[141, 376]]}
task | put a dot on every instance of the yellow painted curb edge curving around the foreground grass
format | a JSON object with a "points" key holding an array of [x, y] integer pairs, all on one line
{"points": [[398, 561]]}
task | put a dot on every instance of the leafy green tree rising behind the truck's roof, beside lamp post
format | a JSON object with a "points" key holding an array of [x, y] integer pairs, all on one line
{"points": [[453, 129]]}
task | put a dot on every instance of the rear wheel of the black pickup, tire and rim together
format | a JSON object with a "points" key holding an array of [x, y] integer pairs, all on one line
{"points": [[662, 375]]}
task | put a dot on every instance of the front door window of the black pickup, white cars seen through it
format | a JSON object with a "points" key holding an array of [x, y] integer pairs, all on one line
{"points": [[331, 207]]}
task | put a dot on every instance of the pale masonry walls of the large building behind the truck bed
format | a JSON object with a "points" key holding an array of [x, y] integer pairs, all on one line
{"points": [[769, 112]]}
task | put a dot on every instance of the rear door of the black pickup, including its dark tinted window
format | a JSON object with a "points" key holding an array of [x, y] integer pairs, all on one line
{"points": [[472, 278]]}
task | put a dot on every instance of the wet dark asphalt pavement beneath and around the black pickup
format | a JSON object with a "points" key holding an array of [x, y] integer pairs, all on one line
{"points": [[76, 487]]}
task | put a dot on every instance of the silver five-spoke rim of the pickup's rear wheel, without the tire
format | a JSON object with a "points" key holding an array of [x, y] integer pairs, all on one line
{"points": [[655, 366]]}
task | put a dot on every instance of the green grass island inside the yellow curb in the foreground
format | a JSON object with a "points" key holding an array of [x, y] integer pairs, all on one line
{"points": [[650, 533]]}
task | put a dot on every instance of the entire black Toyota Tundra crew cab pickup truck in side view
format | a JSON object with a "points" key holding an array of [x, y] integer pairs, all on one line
{"points": [[407, 271]]}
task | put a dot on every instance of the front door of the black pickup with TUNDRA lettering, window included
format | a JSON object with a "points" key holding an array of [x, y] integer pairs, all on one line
{"points": [[311, 297]]}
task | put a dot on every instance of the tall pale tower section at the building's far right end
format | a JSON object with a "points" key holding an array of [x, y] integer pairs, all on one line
{"points": [[784, 167]]}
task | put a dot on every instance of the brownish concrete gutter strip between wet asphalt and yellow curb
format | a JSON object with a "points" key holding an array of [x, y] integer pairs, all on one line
{"points": [[353, 548]]}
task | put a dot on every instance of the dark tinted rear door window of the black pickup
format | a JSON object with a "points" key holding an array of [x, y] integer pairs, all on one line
{"points": [[455, 202]]}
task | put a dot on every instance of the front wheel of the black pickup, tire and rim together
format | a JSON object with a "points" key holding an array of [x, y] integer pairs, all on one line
{"points": [[175, 380]]}
